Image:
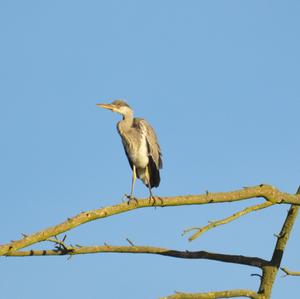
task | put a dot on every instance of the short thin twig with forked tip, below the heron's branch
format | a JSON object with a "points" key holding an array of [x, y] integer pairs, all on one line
{"points": [[214, 224]]}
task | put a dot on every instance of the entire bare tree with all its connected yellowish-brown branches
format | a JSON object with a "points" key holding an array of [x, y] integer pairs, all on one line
{"points": [[269, 268]]}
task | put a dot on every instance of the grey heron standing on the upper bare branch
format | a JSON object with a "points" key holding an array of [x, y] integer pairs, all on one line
{"points": [[141, 146]]}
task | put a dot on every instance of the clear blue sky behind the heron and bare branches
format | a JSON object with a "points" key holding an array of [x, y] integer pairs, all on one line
{"points": [[218, 80]]}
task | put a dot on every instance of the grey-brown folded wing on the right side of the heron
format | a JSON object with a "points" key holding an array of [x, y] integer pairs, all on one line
{"points": [[153, 147]]}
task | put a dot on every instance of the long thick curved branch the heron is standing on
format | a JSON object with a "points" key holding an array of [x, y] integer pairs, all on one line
{"points": [[265, 191]]}
